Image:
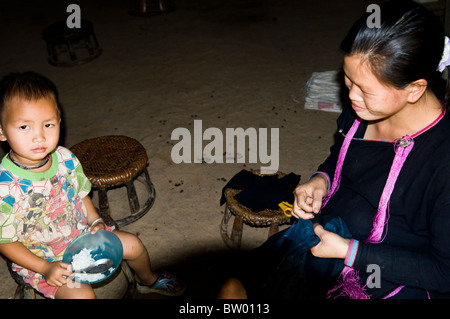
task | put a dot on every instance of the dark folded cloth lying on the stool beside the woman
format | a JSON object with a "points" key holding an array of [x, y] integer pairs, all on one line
{"points": [[262, 192]]}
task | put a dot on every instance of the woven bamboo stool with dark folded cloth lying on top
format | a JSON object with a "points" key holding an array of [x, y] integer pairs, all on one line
{"points": [[266, 218]]}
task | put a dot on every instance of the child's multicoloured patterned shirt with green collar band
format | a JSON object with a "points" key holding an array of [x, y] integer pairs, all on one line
{"points": [[43, 211]]}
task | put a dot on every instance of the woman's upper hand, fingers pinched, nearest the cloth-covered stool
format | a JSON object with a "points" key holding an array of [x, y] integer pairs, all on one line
{"points": [[308, 197]]}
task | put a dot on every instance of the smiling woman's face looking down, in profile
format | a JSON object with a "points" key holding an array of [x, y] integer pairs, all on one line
{"points": [[371, 99]]}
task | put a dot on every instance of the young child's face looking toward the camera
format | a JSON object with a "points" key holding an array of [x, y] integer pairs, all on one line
{"points": [[31, 128]]}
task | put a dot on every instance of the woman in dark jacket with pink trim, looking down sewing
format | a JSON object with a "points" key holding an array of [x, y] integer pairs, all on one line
{"points": [[388, 173]]}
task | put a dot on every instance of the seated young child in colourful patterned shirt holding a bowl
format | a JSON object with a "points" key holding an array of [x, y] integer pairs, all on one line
{"points": [[43, 196]]}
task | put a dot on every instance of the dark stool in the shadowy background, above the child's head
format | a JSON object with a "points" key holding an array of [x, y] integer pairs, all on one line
{"points": [[69, 47]]}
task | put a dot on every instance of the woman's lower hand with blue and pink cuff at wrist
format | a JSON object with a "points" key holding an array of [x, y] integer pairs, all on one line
{"points": [[331, 245]]}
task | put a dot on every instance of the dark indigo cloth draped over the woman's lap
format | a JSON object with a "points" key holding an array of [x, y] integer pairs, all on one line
{"points": [[284, 268]]}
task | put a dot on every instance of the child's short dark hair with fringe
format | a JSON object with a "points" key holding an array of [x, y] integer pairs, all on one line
{"points": [[28, 86]]}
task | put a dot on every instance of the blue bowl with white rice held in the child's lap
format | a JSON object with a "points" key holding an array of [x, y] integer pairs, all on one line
{"points": [[104, 244]]}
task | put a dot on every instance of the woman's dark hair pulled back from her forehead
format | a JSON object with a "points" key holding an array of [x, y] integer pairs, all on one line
{"points": [[407, 46]]}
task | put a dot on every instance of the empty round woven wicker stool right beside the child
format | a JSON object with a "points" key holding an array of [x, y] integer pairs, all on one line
{"points": [[114, 161]]}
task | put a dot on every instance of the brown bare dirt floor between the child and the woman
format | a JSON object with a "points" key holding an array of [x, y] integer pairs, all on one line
{"points": [[229, 63]]}
